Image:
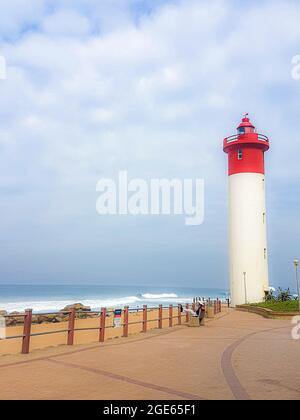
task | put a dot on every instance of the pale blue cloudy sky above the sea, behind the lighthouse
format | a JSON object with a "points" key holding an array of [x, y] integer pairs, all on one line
{"points": [[150, 87]]}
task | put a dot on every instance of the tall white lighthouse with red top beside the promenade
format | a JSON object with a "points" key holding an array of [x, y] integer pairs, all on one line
{"points": [[248, 253]]}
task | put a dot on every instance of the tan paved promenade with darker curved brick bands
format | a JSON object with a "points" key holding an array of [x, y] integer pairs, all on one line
{"points": [[237, 356]]}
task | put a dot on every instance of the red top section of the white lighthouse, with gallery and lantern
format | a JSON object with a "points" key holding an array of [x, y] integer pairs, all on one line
{"points": [[246, 149]]}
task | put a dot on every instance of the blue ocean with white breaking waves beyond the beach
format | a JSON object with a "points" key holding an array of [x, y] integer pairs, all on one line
{"points": [[51, 298]]}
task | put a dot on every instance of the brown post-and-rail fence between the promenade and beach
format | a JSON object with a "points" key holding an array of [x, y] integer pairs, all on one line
{"points": [[179, 313]]}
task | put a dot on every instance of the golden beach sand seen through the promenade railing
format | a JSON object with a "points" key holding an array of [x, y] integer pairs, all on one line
{"points": [[13, 346]]}
